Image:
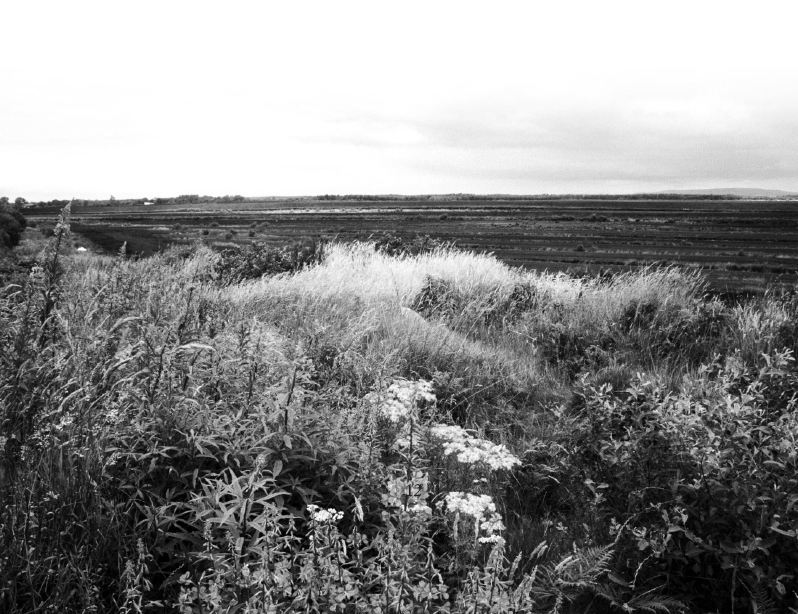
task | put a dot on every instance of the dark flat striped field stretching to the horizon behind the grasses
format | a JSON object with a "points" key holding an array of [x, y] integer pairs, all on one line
{"points": [[741, 245]]}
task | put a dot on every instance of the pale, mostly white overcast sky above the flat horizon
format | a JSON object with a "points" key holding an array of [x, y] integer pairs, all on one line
{"points": [[147, 99]]}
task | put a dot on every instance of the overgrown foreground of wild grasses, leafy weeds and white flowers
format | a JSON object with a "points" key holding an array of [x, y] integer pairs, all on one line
{"points": [[391, 428]]}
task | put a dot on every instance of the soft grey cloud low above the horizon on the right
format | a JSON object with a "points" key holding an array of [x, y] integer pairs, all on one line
{"points": [[656, 142]]}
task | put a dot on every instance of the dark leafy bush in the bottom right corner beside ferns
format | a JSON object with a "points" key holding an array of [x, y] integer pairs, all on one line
{"points": [[704, 481]]}
